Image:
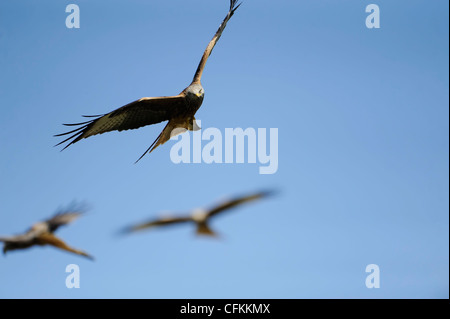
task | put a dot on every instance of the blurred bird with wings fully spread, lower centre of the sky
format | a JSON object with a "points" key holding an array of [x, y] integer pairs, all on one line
{"points": [[200, 217]]}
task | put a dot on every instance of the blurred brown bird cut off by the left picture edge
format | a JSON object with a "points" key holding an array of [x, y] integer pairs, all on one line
{"points": [[41, 234]]}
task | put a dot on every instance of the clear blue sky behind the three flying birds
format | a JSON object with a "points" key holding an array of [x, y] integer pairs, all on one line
{"points": [[363, 148]]}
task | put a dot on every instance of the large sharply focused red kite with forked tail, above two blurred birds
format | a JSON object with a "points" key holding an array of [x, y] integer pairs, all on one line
{"points": [[179, 109]]}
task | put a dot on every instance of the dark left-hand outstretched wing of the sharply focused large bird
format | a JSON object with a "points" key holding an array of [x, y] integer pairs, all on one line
{"points": [[142, 112]]}
